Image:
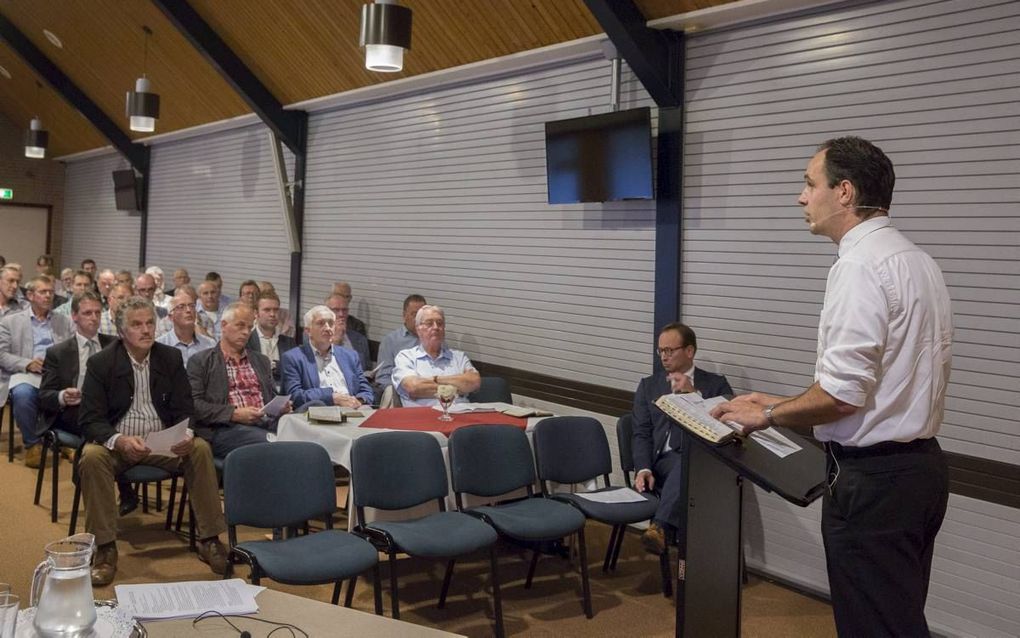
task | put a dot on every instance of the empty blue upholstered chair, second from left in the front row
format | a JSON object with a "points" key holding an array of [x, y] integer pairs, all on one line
{"points": [[400, 470]]}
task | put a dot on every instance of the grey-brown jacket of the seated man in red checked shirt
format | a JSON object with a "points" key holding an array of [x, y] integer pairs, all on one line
{"points": [[208, 374]]}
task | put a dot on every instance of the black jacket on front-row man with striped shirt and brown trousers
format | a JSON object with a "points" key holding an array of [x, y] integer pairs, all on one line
{"points": [[110, 389]]}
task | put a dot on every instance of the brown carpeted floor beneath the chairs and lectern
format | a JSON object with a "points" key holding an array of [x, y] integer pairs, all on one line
{"points": [[627, 604]]}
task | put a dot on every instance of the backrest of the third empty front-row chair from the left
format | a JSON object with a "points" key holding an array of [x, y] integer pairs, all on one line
{"points": [[490, 460]]}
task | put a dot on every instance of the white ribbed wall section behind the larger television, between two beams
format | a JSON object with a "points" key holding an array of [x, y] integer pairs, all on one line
{"points": [[444, 194]]}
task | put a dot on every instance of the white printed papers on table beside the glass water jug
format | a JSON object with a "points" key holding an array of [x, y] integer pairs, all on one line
{"points": [[187, 600]]}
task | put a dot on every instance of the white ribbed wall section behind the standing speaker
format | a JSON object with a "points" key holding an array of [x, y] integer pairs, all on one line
{"points": [[937, 85]]}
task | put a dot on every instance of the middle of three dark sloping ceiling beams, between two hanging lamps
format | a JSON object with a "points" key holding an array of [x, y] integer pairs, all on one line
{"points": [[290, 126]]}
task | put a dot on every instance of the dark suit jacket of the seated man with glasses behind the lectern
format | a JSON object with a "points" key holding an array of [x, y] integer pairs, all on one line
{"points": [[651, 425]]}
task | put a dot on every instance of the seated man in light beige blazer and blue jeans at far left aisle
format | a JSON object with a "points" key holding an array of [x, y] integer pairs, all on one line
{"points": [[25, 337]]}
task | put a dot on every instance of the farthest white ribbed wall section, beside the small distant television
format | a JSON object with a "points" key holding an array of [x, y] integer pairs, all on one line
{"points": [[93, 227]]}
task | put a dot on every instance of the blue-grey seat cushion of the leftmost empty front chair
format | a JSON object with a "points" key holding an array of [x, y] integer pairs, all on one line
{"points": [[313, 560]]}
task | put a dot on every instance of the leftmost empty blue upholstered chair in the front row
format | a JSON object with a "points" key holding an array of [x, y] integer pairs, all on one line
{"points": [[284, 485]]}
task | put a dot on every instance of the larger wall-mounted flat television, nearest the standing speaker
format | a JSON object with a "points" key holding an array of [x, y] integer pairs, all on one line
{"points": [[598, 159]]}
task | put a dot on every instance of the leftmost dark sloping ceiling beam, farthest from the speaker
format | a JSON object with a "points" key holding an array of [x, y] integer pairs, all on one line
{"points": [[137, 155]]}
